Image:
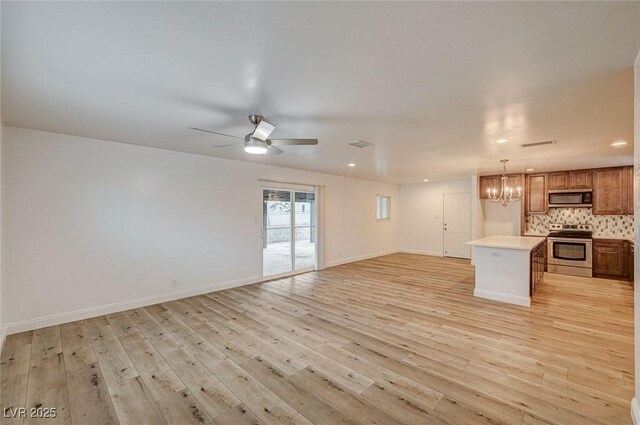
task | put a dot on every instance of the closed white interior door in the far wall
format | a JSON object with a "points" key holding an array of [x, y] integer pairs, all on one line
{"points": [[457, 225]]}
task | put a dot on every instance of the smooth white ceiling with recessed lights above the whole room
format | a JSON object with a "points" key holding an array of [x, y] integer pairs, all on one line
{"points": [[432, 85]]}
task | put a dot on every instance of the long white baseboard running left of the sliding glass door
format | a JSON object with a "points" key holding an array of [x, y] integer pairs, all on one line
{"points": [[72, 316]]}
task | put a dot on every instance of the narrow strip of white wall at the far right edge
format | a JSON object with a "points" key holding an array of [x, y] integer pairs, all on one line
{"points": [[635, 408]]}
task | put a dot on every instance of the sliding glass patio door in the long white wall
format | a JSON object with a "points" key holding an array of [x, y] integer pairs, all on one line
{"points": [[289, 231]]}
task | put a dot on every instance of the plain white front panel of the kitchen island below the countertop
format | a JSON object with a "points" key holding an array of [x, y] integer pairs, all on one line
{"points": [[503, 275]]}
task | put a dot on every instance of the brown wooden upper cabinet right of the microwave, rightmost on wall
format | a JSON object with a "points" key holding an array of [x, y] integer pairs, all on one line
{"points": [[610, 191]]}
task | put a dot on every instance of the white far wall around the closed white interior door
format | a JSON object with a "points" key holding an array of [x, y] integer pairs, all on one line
{"points": [[421, 215]]}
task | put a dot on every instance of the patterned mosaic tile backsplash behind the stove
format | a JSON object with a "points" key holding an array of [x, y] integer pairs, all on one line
{"points": [[604, 226]]}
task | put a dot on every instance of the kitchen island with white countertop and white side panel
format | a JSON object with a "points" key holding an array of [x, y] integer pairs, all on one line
{"points": [[508, 267]]}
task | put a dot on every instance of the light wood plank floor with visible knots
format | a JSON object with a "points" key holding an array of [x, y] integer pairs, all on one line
{"points": [[393, 340]]}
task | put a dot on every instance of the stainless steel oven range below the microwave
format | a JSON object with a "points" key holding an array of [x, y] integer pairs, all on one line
{"points": [[570, 256]]}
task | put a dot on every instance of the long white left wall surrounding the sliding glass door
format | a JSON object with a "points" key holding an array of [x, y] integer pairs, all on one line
{"points": [[92, 225]]}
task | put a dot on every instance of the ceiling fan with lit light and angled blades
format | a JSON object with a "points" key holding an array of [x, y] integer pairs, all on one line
{"points": [[257, 142]]}
